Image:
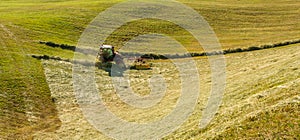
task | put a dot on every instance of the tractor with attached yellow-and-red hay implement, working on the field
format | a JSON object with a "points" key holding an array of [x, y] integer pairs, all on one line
{"points": [[107, 57]]}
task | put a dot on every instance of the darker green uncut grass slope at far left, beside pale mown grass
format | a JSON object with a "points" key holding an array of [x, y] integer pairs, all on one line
{"points": [[25, 99]]}
